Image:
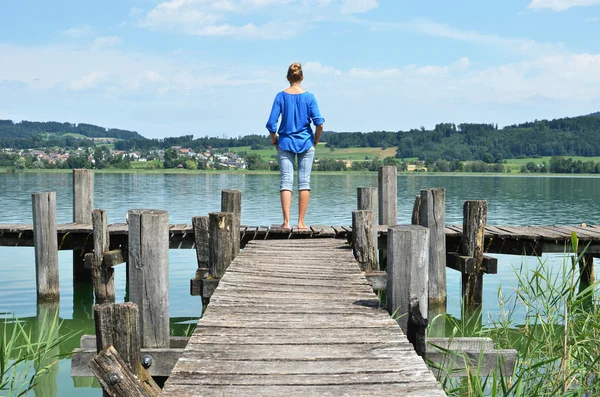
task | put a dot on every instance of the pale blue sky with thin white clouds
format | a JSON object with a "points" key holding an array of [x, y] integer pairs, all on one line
{"points": [[213, 67]]}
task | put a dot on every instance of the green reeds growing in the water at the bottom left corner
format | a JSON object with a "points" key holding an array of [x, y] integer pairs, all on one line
{"points": [[27, 356]]}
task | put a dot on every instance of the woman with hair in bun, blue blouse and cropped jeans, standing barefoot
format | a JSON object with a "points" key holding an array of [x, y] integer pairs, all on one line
{"points": [[297, 109]]}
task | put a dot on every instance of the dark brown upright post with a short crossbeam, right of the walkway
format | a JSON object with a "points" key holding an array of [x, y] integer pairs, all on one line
{"points": [[472, 245]]}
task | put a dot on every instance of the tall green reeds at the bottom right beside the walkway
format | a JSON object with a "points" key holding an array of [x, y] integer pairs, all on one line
{"points": [[557, 336]]}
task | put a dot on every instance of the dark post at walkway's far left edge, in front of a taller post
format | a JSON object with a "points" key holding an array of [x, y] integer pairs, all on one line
{"points": [[220, 242]]}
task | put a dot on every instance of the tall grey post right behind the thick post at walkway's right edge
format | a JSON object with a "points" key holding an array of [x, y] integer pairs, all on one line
{"points": [[432, 215]]}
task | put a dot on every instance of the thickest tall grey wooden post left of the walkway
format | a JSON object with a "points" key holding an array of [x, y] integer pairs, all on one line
{"points": [[149, 273]]}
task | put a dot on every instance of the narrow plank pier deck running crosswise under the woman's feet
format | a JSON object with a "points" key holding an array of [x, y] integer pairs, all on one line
{"points": [[519, 240]]}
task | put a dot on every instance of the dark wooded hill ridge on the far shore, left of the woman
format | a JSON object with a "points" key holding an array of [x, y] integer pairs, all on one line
{"points": [[32, 129]]}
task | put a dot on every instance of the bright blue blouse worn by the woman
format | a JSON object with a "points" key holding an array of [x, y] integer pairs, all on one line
{"points": [[297, 111]]}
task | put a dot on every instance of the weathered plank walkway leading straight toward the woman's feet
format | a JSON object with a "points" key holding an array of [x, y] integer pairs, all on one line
{"points": [[298, 318]]}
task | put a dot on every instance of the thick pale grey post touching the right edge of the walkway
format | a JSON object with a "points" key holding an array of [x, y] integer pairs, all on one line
{"points": [[407, 281]]}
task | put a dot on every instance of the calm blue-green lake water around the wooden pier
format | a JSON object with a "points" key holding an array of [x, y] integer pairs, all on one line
{"points": [[512, 200]]}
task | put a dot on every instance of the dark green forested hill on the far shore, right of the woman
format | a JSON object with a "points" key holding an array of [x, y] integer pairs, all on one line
{"points": [[571, 136]]}
